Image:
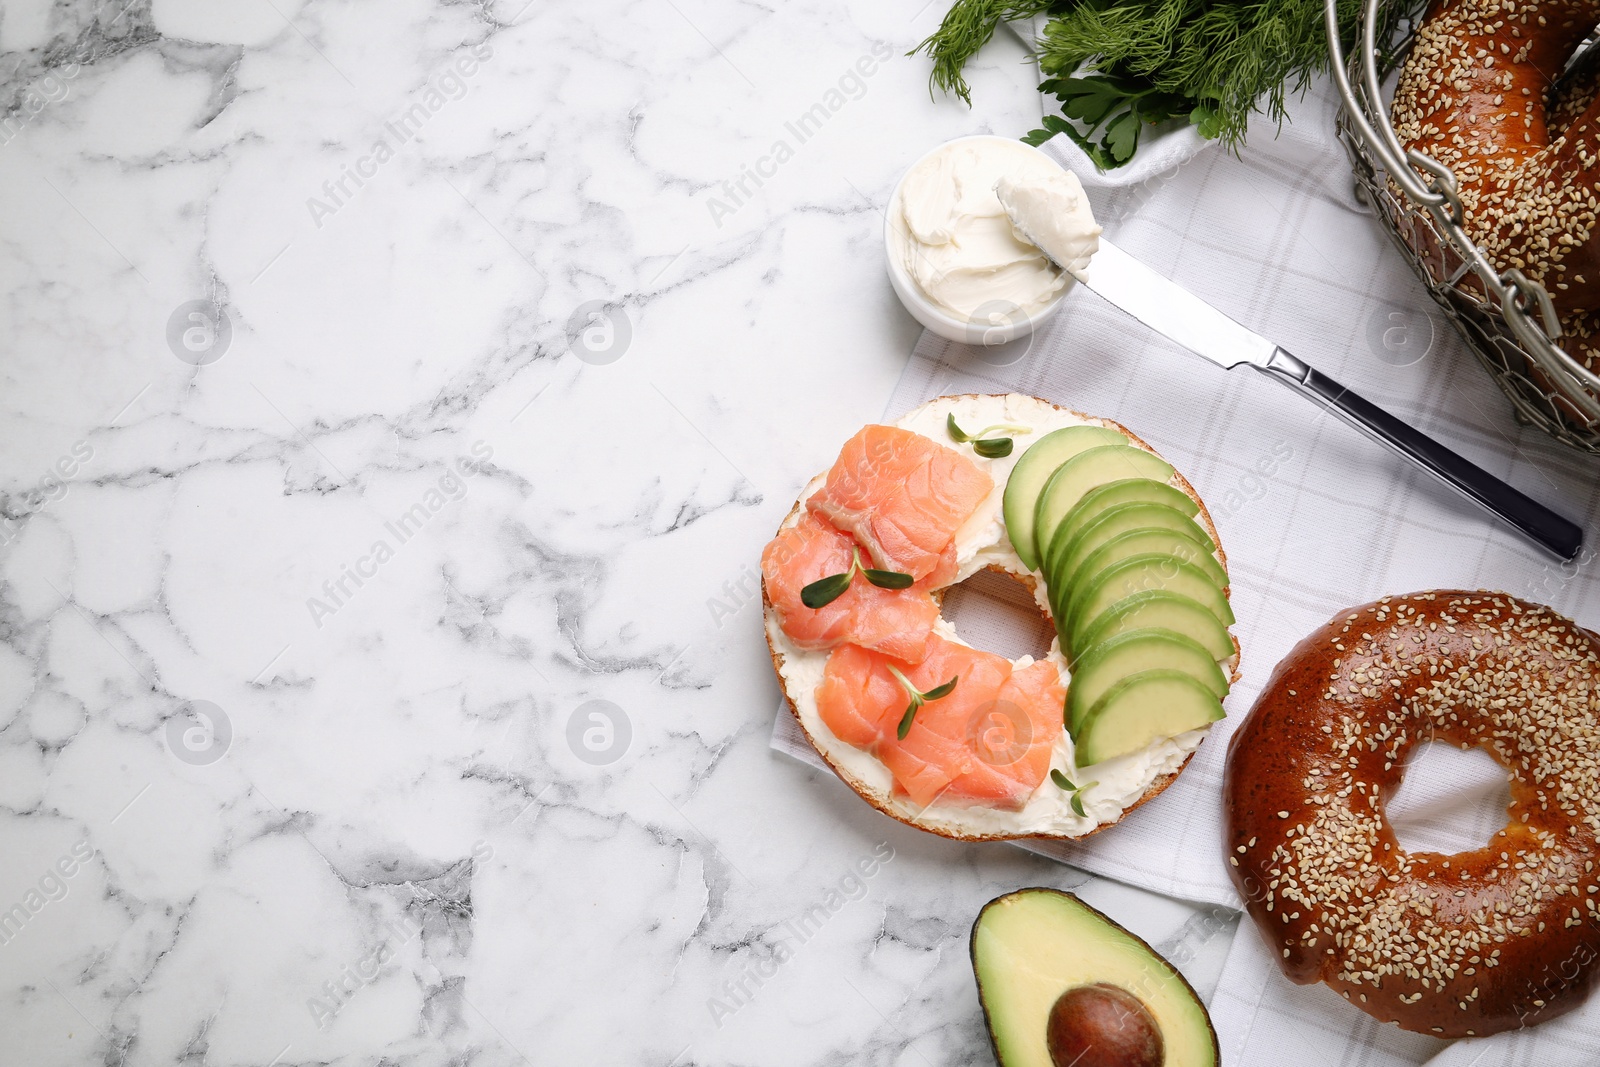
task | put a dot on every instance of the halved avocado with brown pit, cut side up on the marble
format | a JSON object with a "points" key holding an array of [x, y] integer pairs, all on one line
{"points": [[1033, 946]]}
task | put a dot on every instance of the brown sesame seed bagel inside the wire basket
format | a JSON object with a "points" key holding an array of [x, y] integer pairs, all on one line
{"points": [[1473, 97]]}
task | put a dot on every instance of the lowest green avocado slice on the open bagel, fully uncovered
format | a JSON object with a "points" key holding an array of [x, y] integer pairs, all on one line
{"points": [[1140, 709]]}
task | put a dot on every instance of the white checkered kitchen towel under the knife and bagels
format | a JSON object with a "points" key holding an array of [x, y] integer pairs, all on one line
{"points": [[1314, 516]]}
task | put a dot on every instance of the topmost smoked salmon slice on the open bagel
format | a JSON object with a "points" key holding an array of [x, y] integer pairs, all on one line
{"points": [[903, 497]]}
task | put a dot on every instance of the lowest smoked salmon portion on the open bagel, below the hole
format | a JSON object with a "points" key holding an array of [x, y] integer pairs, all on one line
{"points": [[988, 741]]}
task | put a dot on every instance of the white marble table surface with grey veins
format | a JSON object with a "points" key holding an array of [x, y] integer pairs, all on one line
{"points": [[332, 511]]}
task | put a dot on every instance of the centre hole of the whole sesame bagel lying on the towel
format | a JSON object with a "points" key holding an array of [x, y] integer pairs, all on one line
{"points": [[1450, 799]]}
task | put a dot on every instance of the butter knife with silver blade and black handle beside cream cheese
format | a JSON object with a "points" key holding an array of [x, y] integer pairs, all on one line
{"points": [[1183, 318]]}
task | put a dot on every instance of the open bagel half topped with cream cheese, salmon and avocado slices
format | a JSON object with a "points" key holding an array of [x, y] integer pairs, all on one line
{"points": [[961, 741]]}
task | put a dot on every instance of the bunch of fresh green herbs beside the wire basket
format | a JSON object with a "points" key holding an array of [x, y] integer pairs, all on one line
{"points": [[1118, 66]]}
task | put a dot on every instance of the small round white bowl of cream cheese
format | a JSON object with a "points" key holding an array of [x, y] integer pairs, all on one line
{"points": [[959, 263]]}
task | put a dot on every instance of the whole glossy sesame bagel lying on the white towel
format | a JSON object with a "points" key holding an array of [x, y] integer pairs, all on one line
{"points": [[1454, 946]]}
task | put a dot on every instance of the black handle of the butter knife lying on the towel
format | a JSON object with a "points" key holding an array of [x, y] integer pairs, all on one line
{"points": [[1535, 521]]}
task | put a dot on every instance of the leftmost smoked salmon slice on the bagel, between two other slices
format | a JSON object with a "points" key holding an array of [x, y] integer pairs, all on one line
{"points": [[892, 621]]}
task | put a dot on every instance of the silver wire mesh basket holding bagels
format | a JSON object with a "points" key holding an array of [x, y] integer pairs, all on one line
{"points": [[1505, 318]]}
